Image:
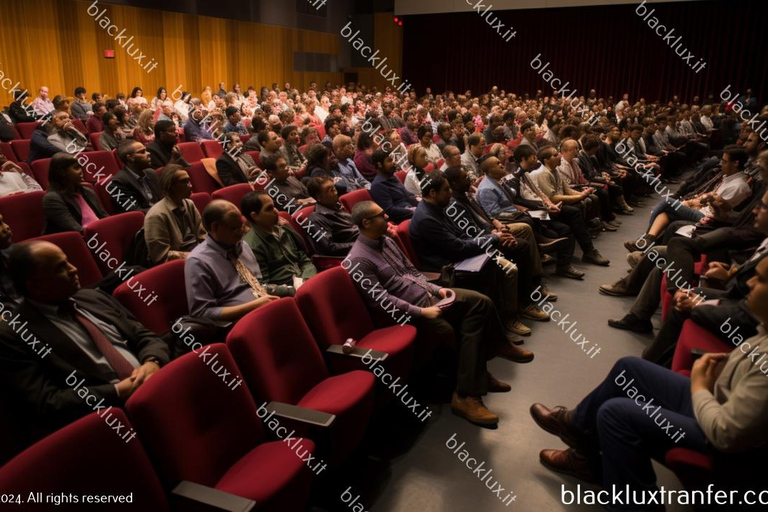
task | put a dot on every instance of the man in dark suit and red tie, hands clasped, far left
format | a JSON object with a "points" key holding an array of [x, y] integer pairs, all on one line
{"points": [[65, 352]]}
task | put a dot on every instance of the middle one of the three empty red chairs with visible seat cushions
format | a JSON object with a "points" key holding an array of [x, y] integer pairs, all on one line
{"points": [[274, 373]]}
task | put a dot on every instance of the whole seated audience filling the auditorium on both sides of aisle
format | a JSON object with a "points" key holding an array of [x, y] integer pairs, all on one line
{"points": [[451, 206]]}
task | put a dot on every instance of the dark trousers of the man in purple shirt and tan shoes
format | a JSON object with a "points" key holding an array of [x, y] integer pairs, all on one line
{"points": [[475, 324]]}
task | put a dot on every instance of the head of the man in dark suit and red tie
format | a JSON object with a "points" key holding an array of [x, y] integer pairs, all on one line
{"points": [[40, 271]]}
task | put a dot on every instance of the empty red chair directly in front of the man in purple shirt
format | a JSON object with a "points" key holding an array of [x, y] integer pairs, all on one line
{"points": [[334, 311]]}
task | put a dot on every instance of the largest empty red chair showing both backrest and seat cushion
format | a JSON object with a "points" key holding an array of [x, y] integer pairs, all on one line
{"points": [[201, 428]]}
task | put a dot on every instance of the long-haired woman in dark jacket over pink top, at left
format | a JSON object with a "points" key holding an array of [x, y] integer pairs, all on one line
{"points": [[68, 205]]}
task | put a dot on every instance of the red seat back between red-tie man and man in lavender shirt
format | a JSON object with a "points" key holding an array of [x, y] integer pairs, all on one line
{"points": [[166, 282]]}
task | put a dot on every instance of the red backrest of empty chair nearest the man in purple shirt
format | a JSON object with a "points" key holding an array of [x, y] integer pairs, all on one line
{"points": [[333, 309]]}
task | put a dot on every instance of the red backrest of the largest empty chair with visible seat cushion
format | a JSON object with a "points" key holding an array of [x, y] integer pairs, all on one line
{"points": [[188, 405]]}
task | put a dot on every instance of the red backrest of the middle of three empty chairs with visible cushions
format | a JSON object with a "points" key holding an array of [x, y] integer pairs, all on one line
{"points": [[269, 362]]}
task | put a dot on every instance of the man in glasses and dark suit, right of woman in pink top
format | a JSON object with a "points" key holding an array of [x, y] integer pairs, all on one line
{"points": [[136, 187]]}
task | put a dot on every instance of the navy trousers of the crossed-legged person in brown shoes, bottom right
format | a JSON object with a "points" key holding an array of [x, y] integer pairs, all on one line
{"points": [[629, 435]]}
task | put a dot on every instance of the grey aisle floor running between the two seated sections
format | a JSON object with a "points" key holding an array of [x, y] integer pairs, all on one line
{"points": [[430, 478]]}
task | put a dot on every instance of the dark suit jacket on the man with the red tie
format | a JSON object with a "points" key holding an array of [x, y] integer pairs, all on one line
{"points": [[40, 383]]}
